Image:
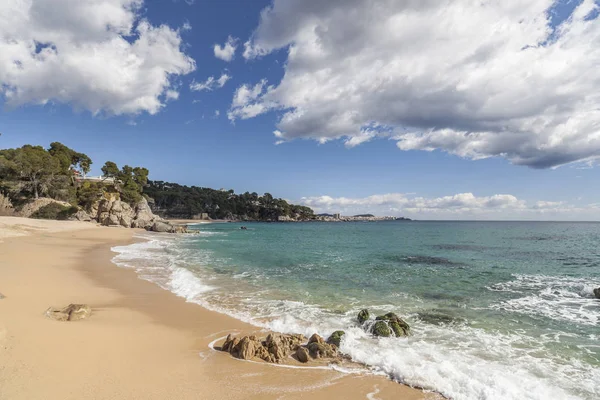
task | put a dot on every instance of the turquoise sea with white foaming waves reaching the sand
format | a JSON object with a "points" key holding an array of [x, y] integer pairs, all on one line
{"points": [[498, 310]]}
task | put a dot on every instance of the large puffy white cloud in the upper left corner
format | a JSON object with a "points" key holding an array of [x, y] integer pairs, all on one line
{"points": [[97, 55]]}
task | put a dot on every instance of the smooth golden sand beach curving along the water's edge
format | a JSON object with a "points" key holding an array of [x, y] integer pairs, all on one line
{"points": [[141, 342]]}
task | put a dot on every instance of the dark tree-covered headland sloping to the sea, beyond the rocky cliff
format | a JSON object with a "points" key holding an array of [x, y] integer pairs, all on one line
{"points": [[177, 201]]}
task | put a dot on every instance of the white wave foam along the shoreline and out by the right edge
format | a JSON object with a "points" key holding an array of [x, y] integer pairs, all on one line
{"points": [[449, 357]]}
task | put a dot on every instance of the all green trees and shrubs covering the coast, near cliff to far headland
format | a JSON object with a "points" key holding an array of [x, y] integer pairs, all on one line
{"points": [[58, 172]]}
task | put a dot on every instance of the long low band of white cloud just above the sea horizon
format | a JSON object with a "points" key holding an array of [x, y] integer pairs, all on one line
{"points": [[463, 205]]}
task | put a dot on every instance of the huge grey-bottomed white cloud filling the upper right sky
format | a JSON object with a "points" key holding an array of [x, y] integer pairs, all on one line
{"points": [[476, 79]]}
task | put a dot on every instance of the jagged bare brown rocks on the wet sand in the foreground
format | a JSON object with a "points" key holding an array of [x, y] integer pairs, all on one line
{"points": [[278, 348]]}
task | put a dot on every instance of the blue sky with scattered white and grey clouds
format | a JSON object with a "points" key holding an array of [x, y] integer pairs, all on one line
{"points": [[430, 109]]}
